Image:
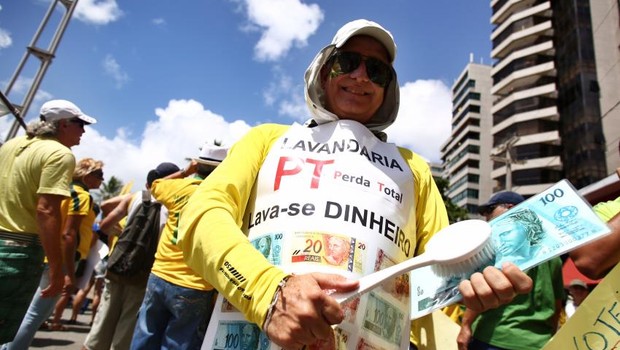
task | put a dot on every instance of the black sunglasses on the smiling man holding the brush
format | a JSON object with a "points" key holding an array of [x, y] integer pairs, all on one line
{"points": [[343, 62]]}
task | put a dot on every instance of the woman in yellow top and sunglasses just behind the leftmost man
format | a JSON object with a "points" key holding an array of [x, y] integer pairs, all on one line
{"points": [[78, 216]]}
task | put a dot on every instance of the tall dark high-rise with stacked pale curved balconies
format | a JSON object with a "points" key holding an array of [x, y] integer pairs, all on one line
{"points": [[546, 117]]}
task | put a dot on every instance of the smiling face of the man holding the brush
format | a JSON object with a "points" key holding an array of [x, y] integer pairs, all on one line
{"points": [[352, 95]]}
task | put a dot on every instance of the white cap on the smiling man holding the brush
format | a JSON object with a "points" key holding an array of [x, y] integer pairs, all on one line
{"points": [[366, 27]]}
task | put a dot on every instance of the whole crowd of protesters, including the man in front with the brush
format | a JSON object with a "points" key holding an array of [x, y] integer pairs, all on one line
{"points": [[63, 238]]}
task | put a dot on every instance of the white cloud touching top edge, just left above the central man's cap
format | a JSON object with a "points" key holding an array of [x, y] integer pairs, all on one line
{"points": [[283, 23]]}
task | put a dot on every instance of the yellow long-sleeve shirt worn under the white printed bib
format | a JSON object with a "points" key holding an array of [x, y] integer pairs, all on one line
{"points": [[213, 235]]}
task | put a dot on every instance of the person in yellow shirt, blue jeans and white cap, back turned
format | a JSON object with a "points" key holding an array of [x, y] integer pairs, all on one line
{"points": [[178, 302]]}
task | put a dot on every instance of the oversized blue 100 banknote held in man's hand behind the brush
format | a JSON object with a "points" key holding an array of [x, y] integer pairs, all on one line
{"points": [[544, 226]]}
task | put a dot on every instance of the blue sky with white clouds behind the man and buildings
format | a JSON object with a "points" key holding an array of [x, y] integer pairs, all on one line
{"points": [[162, 77]]}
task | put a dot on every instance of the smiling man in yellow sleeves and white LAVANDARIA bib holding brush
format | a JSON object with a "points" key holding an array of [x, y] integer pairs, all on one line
{"points": [[334, 176]]}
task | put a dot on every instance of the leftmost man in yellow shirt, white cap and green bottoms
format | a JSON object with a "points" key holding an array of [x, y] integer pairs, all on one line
{"points": [[34, 179]]}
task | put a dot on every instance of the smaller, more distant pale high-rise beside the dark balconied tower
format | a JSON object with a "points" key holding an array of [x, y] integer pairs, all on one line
{"points": [[465, 155]]}
